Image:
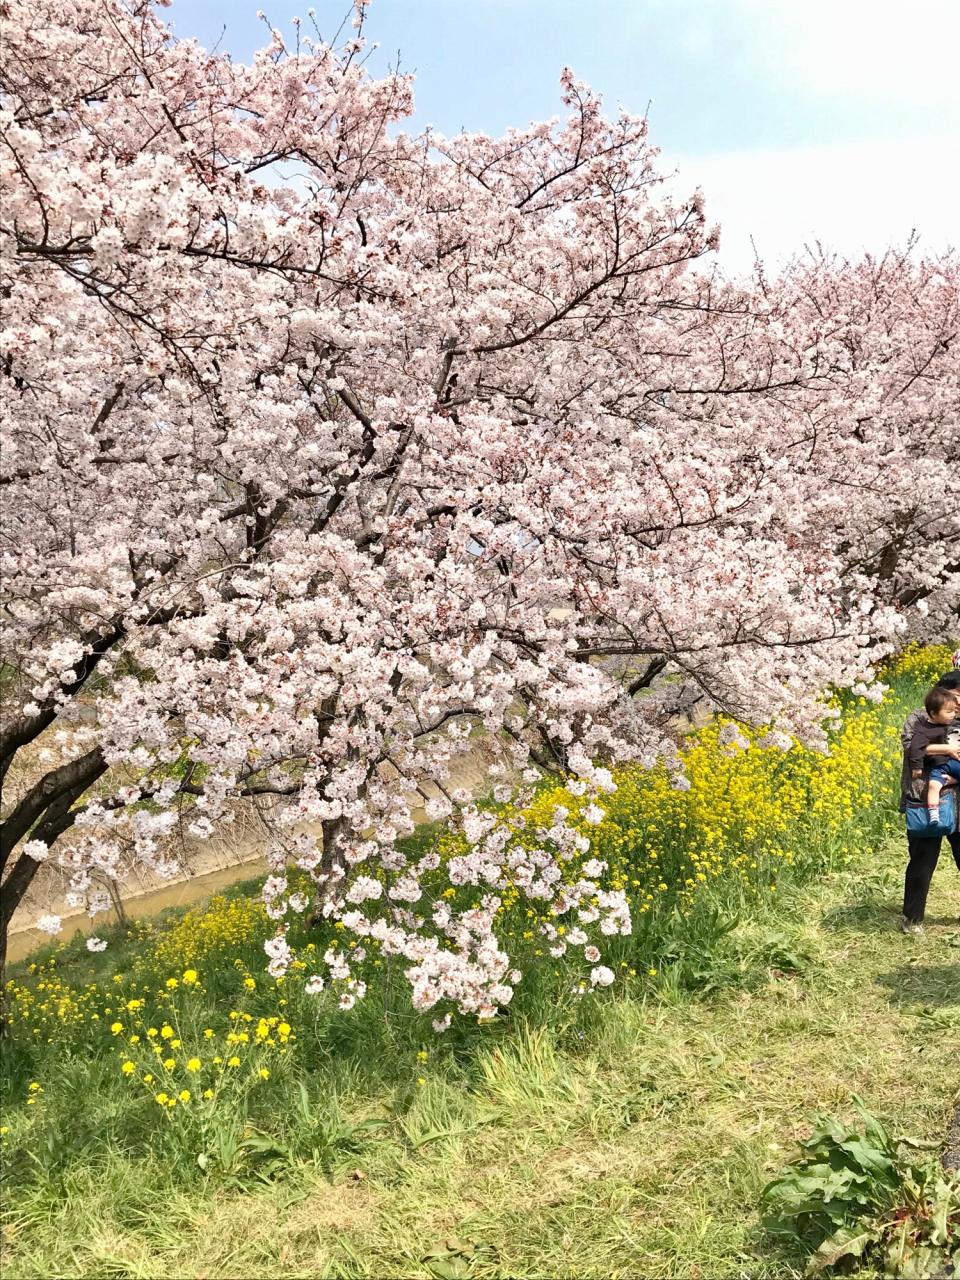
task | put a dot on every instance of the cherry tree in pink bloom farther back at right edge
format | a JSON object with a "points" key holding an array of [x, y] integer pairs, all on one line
{"points": [[884, 440]]}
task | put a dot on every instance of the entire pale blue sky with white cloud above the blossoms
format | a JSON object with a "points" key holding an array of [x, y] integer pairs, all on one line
{"points": [[831, 120]]}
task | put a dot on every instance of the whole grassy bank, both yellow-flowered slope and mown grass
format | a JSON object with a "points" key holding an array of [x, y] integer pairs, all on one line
{"points": [[171, 1112]]}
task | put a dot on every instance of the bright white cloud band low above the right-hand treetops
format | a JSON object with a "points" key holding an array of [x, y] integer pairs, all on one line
{"points": [[853, 198]]}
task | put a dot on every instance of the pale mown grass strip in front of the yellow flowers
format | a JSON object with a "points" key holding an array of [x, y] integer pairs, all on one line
{"points": [[639, 1151]]}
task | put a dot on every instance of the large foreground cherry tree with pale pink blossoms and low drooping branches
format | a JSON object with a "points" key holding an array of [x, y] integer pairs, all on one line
{"points": [[327, 445]]}
